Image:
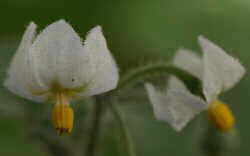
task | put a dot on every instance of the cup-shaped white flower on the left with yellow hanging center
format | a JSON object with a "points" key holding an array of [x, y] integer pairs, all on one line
{"points": [[56, 66]]}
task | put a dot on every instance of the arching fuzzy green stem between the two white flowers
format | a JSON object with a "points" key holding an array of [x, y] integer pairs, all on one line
{"points": [[155, 70]]}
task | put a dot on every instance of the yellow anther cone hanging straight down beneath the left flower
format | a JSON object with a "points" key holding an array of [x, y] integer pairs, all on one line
{"points": [[62, 115]]}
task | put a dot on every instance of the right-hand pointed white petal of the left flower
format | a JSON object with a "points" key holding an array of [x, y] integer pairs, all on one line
{"points": [[105, 72]]}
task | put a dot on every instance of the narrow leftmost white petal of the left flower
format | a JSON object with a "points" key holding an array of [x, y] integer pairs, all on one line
{"points": [[20, 79]]}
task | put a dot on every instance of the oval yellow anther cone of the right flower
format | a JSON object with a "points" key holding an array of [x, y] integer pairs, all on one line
{"points": [[221, 115]]}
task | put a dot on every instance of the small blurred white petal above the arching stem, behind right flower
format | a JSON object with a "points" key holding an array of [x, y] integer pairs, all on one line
{"points": [[189, 61]]}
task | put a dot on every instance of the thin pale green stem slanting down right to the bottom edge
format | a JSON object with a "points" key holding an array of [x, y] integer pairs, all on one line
{"points": [[125, 133]]}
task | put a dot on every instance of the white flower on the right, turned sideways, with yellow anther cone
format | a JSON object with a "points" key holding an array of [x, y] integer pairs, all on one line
{"points": [[218, 73]]}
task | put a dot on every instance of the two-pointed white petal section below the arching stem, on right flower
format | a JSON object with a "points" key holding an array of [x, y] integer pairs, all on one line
{"points": [[177, 106]]}
